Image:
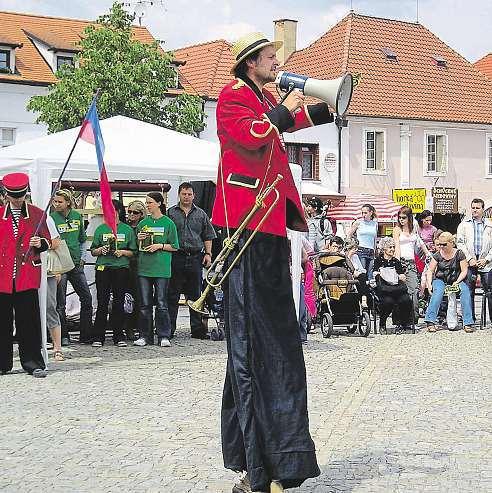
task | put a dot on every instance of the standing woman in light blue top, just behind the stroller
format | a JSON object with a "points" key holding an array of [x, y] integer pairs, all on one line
{"points": [[366, 230]]}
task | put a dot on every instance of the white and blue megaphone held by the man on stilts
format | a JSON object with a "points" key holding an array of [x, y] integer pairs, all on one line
{"points": [[337, 92]]}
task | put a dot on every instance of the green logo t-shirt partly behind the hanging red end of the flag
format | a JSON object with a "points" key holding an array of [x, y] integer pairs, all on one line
{"points": [[126, 240]]}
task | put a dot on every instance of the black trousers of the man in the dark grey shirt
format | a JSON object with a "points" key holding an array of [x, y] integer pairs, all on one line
{"points": [[186, 278]]}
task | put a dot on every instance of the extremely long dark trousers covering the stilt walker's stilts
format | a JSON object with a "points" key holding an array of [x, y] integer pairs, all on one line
{"points": [[265, 427]]}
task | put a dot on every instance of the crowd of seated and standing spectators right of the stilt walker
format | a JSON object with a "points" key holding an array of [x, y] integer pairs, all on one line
{"points": [[418, 263]]}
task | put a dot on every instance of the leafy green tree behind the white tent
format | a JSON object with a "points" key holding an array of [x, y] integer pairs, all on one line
{"points": [[133, 77]]}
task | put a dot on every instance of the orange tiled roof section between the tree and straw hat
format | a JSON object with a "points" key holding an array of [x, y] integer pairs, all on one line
{"points": [[207, 67]]}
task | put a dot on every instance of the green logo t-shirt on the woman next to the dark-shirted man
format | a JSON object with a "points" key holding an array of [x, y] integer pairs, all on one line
{"points": [[157, 264]]}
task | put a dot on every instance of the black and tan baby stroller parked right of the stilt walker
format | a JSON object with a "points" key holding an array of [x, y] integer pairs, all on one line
{"points": [[338, 301]]}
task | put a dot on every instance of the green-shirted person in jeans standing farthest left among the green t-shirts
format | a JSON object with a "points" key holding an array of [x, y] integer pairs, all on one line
{"points": [[70, 226]]}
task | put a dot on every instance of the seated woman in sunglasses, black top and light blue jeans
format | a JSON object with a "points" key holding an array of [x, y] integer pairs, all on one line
{"points": [[448, 268]]}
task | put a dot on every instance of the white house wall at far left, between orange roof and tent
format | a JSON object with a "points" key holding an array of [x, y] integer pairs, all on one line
{"points": [[13, 112]]}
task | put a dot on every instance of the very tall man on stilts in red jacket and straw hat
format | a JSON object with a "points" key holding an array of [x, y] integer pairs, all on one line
{"points": [[265, 428]]}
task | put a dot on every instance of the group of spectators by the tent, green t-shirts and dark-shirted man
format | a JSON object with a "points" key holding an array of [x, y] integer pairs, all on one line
{"points": [[139, 275]]}
